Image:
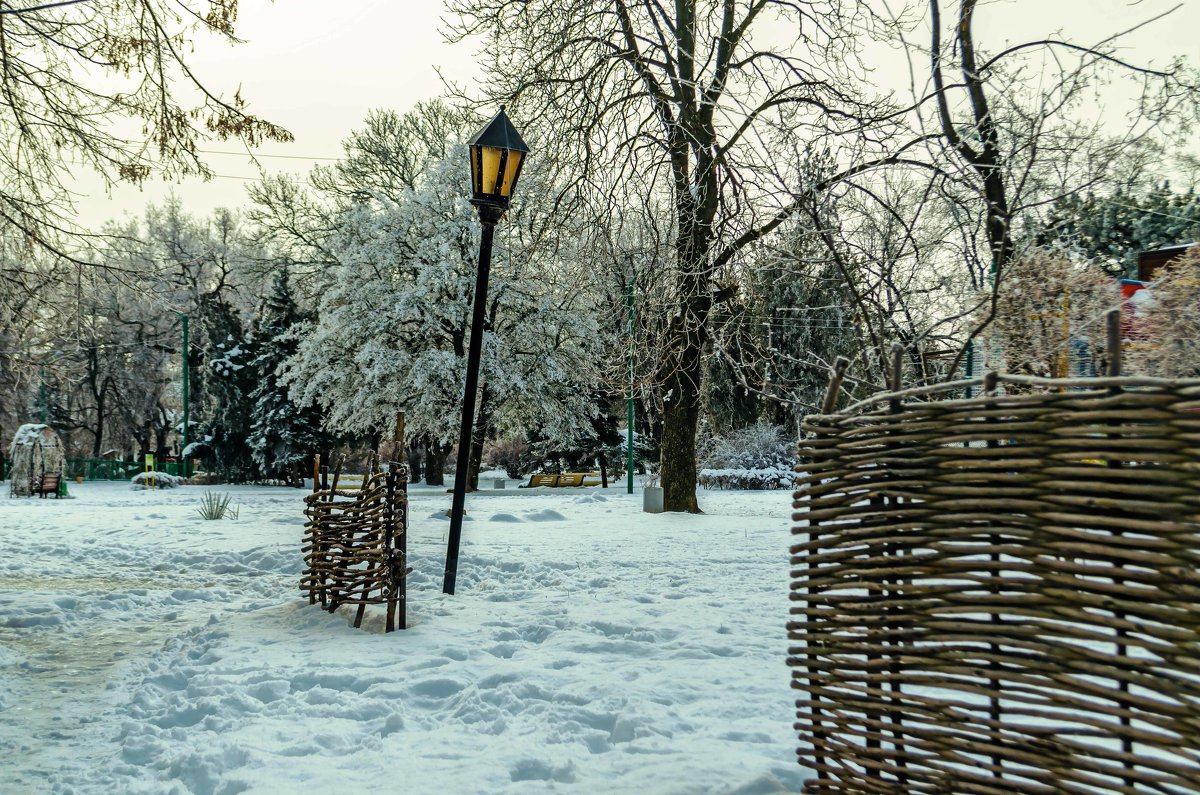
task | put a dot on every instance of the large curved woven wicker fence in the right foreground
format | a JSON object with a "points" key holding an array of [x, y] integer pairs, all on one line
{"points": [[1001, 594]]}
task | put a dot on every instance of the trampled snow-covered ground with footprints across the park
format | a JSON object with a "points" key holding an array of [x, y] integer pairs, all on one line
{"points": [[591, 649]]}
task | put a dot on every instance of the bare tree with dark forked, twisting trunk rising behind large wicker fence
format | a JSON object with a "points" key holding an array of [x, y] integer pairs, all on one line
{"points": [[1025, 125]]}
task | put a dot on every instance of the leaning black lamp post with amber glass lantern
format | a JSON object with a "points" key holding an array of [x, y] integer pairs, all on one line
{"points": [[497, 154]]}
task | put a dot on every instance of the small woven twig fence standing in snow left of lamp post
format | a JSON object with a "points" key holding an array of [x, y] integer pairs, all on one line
{"points": [[356, 542]]}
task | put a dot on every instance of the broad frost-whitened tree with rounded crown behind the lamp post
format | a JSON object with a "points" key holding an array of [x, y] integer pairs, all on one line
{"points": [[394, 319]]}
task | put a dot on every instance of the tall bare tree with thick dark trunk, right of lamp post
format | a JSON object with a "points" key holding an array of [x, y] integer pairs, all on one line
{"points": [[693, 95]]}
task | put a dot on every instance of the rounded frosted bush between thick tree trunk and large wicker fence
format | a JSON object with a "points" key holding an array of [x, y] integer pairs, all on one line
{"points": [[757, 457]]}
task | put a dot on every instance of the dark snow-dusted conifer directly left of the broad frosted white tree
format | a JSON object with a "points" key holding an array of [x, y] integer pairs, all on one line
{"points": [[284, 438]]}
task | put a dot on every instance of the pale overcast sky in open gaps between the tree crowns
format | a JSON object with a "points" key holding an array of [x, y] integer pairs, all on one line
{"points": [[317, 67]]}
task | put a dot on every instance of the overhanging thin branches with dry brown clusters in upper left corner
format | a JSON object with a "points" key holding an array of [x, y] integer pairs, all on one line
{"points": [[107, 86]]}
